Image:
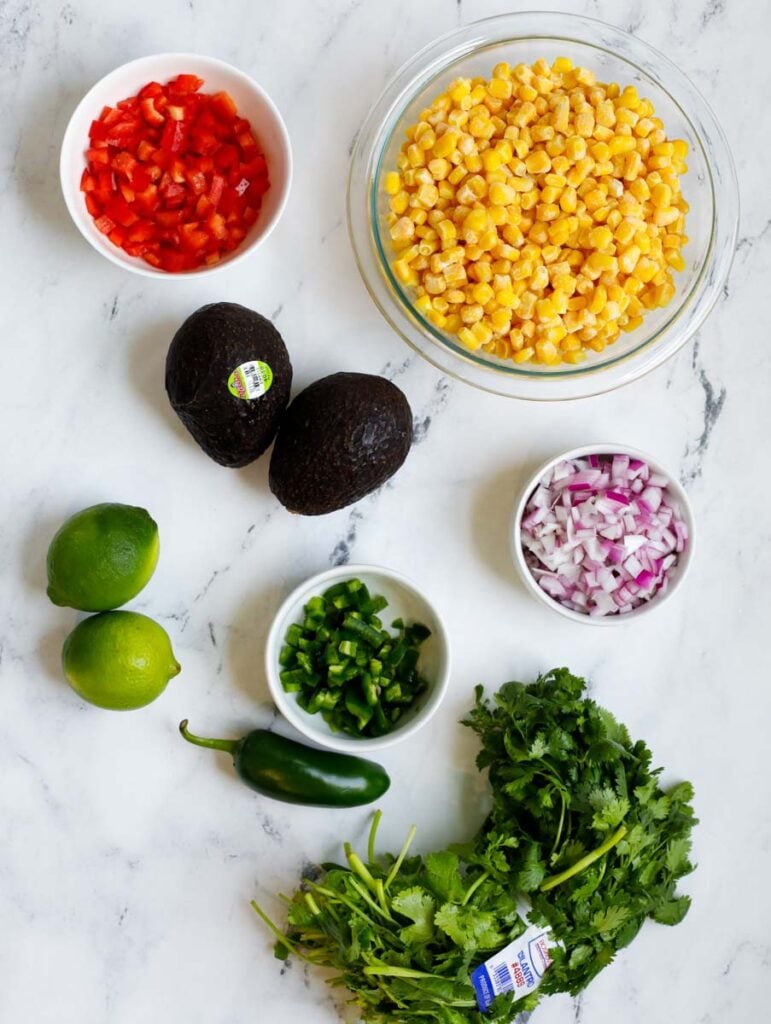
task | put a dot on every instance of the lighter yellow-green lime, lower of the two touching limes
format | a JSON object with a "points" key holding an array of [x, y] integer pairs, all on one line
{"points": [[119, 660]]}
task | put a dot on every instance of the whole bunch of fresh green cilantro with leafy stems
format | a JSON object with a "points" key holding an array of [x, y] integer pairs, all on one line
{"points": [[580, 828]]}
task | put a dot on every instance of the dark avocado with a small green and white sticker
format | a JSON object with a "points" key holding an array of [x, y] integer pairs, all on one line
{"points": [[229, 378]]}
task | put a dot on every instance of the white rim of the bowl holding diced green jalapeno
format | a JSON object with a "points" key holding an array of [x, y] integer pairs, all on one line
{"points": [[301, 719]]}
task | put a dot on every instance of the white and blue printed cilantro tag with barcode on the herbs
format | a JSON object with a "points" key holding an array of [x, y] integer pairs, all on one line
{"points": [[519, 968]]}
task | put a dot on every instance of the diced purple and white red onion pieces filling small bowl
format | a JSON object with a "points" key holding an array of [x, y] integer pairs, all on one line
{"points": [[603, 534]]}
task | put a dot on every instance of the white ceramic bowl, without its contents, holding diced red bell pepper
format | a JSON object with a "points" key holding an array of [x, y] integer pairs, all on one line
{"points": [[252, 102]]}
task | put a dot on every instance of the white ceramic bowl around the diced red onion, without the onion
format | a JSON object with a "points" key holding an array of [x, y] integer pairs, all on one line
{"points": [[679, 571]]}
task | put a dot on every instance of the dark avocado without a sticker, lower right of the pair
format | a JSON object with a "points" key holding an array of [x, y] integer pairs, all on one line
{"points": [[341, 438]]}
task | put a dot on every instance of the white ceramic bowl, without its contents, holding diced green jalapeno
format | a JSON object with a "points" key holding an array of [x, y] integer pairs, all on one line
{"points": [[405, 602]]}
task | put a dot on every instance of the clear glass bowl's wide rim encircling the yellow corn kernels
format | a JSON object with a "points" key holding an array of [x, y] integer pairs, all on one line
{"points": [[586, 379]]}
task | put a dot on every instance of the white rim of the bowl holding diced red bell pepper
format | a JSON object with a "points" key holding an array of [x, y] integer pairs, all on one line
{"points": [[71, 192]]}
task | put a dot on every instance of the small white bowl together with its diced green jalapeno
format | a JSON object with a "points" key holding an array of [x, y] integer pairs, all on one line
{"points": [[358, 659]]}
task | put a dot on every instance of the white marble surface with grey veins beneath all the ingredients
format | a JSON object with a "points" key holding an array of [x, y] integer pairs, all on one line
{"points": [[128, 860]]}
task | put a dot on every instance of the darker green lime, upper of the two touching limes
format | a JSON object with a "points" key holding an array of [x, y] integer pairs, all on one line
{"points": [[103, 558]]}
